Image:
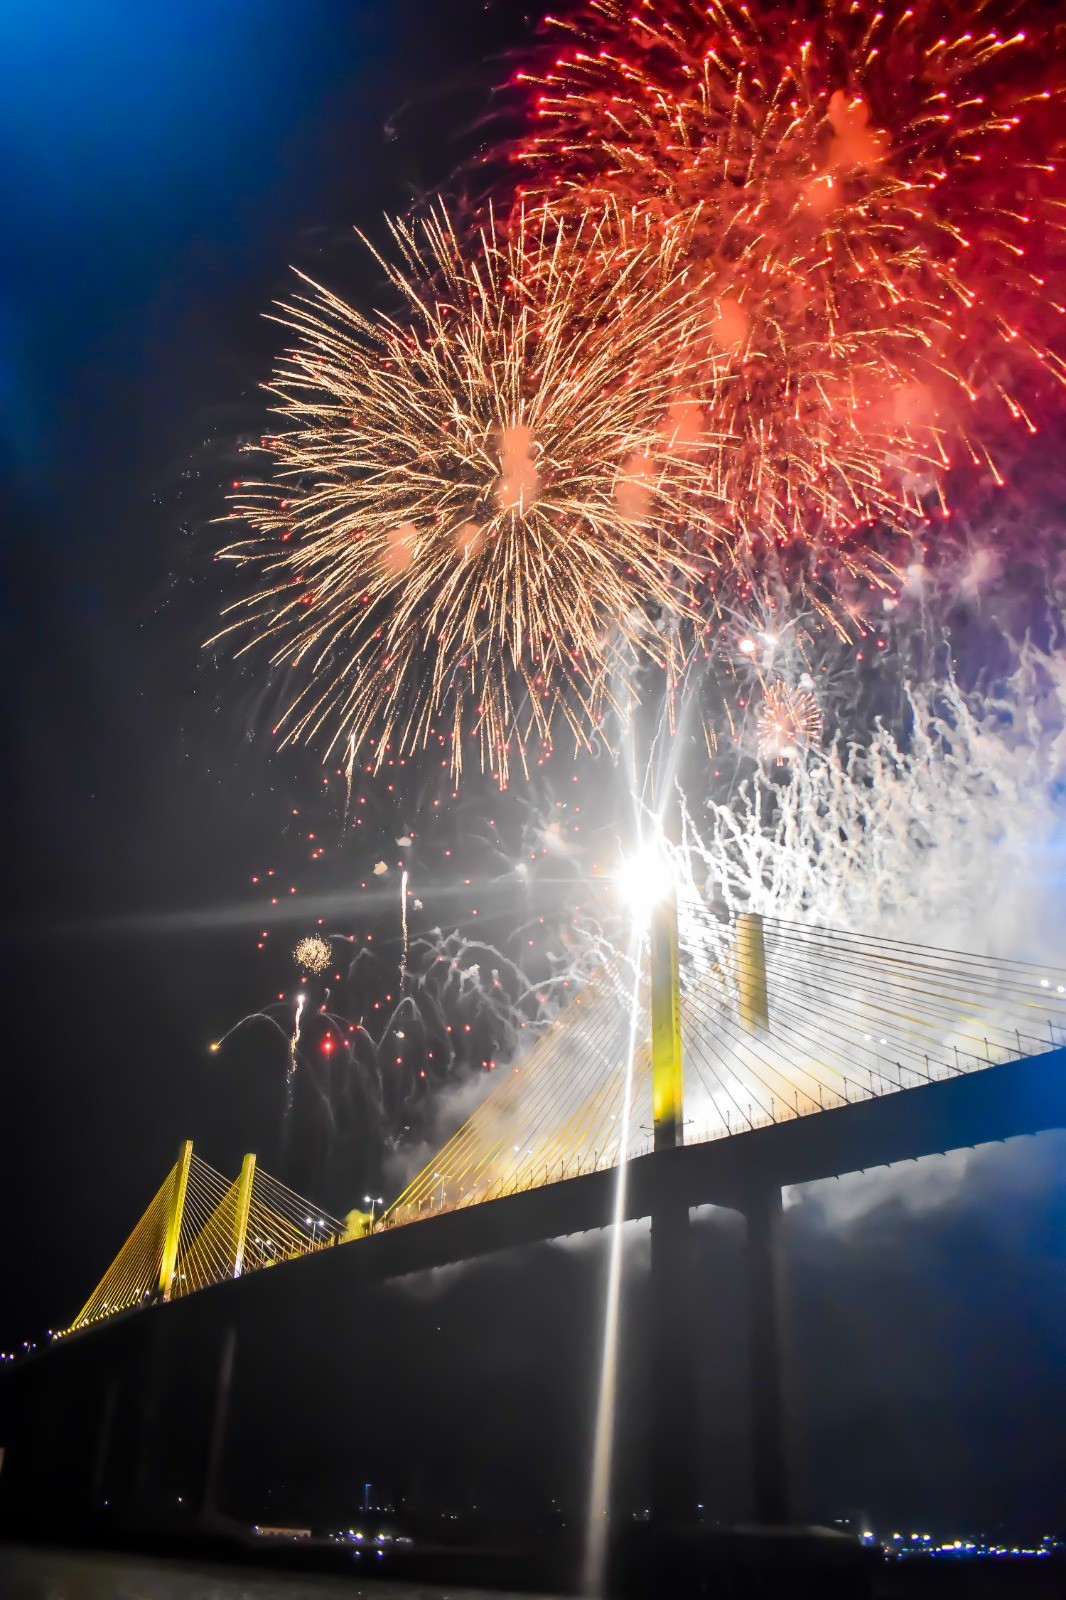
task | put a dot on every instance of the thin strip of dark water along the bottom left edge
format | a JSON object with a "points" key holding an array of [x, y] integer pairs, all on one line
{"points": [[63, 1575]]}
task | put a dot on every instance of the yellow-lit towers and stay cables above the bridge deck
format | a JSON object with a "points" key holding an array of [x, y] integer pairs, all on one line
{"points": [[716, 1030]]}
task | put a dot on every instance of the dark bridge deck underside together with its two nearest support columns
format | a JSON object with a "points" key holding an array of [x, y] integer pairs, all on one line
{"points": [[745, 1174]]}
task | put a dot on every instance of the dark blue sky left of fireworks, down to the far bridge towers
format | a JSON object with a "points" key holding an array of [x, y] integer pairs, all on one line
{"points": [[162, 167]]}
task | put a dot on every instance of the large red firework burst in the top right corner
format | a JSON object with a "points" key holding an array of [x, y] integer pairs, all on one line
{"points": [[875, 201]]}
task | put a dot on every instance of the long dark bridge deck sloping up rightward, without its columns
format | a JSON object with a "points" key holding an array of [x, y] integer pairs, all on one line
{"points": [[984, 1106]]}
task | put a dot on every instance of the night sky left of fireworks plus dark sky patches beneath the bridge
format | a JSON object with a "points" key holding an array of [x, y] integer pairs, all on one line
{"points": [[162, 169]]}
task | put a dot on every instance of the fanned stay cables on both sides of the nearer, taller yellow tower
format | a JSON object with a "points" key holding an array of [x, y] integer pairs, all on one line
{"points": [[844, 1018]]}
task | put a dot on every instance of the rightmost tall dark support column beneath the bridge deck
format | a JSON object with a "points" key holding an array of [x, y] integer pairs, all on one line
{"points": [[767, 1390]]}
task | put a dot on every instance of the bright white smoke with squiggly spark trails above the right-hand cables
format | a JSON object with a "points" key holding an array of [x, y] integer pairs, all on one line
{"points": [[950, 831]]}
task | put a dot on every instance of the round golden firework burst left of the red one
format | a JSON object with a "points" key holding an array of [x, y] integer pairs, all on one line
{"points": [[478, 513]]}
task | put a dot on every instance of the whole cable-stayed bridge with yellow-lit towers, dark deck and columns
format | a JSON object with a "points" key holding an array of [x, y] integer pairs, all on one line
{"points": [[716, 1065]]}
